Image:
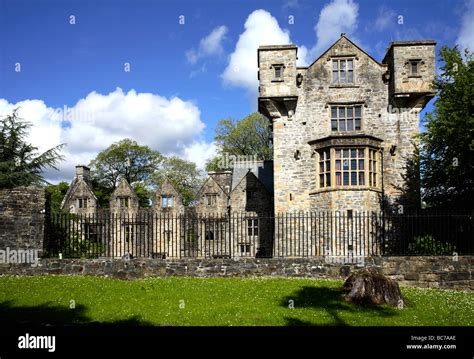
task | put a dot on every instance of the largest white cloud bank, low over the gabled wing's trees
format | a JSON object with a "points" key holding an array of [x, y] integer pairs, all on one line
{"points": [[169, 125]]}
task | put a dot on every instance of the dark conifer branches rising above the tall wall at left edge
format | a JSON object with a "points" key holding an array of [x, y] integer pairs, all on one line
{"points": [[20, 162]]}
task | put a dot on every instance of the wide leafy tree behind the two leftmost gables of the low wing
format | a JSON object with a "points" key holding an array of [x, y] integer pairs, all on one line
{"points": [[125, 159]]}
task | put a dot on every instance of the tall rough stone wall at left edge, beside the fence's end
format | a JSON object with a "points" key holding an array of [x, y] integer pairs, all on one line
{"points": [[22, 218]]}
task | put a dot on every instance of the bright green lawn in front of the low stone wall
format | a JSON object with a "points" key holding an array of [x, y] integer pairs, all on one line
{"points": [[216, 302]]}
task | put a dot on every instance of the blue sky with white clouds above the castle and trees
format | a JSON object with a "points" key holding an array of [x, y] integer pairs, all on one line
{"points": [[183, 76]]}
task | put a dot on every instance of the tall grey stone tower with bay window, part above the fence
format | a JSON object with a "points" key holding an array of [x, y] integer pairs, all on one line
{"points": [[345, 100]]}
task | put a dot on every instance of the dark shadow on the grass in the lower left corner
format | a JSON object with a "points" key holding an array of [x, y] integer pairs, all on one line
{"points": [[52, 315]]}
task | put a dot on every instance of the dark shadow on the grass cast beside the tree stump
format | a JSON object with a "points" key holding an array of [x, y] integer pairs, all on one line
{"points": [[332, 301]]}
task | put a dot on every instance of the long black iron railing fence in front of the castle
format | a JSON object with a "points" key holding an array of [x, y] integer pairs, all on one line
{"points": [[348, 235]]}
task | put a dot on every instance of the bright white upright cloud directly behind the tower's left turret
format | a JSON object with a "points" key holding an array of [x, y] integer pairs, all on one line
{"points": [[261, 28]]}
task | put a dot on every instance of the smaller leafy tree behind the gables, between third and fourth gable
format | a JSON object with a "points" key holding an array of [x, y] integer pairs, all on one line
{"points": [[184, 175]]}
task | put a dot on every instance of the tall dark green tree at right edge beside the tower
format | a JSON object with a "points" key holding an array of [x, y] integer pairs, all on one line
{"points": [[446, 152]]}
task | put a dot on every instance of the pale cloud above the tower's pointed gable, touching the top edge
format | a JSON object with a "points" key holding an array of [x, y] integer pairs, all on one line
{"points": [[335, 18]]}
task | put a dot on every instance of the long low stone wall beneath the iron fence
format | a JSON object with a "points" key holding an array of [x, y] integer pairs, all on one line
{"points": [[433, 272]]}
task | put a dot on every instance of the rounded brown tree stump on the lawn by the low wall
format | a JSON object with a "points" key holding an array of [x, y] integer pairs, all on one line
{"points": [[369, 286]]}
